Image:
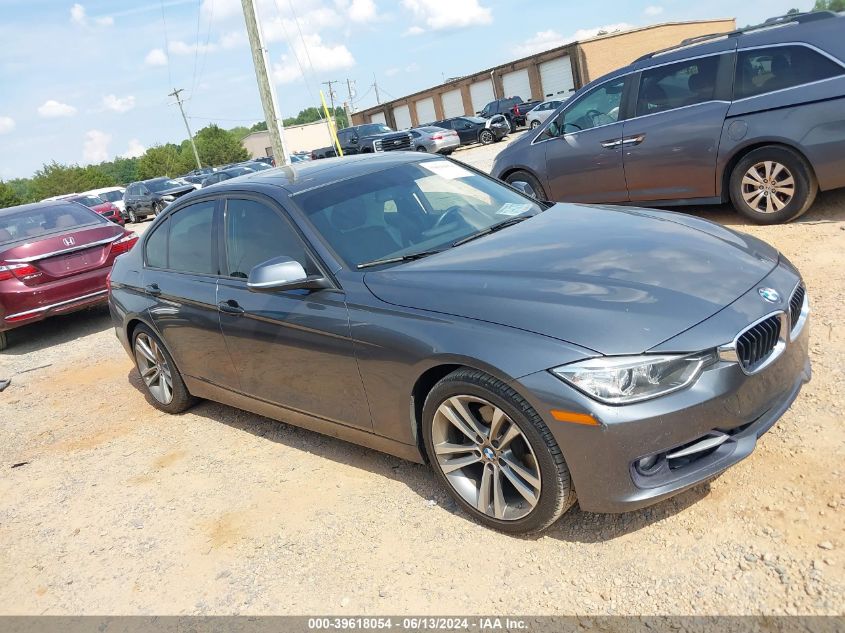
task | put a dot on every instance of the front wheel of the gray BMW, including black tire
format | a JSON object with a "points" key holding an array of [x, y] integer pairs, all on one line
{"points": [[495, 454]]}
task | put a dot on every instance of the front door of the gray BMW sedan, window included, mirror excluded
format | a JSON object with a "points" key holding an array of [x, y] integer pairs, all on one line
{"points": [[291, 348]]}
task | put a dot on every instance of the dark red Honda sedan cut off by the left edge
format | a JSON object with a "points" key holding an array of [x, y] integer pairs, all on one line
{"points": [[55, 257]]}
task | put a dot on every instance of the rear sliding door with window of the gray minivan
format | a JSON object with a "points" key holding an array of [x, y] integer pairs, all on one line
{"points": [[671, 142]]}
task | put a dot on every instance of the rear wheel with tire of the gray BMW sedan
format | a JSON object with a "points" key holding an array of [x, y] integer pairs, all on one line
{"points": [[162, 380]]}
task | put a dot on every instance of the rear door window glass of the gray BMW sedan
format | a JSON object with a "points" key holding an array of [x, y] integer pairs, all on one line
{"points": [[190, 241]]}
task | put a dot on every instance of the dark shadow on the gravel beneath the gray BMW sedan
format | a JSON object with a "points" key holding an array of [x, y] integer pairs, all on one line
{"points": [[575, 526]]}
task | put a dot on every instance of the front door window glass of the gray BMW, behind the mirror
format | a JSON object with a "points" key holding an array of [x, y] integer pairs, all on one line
{"points": [[256, 233]]}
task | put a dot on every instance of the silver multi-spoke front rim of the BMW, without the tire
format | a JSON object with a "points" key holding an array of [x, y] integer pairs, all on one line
{"points": [[485, 457]]}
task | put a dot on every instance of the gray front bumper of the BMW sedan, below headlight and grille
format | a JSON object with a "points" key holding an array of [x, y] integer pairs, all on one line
{"points": [[601, 458]]}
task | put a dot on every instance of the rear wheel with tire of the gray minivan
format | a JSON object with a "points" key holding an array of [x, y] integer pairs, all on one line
{"points": [[772, 185]]}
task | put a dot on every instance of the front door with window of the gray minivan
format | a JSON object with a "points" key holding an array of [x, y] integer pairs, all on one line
{"points": [[583, 148]]}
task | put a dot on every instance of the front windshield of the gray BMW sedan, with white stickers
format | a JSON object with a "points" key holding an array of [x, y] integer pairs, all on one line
{"points": [[409, 208]]}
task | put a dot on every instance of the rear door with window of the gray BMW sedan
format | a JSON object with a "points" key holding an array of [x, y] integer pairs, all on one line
{"points": [[180, 275]]}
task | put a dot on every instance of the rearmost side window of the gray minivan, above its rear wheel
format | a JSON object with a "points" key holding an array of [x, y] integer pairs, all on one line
{"points": [[763, 70]]}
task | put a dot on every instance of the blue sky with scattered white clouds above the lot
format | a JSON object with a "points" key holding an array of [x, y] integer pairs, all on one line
{"points": [[84, 82]]}
